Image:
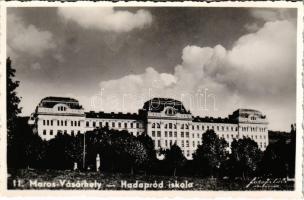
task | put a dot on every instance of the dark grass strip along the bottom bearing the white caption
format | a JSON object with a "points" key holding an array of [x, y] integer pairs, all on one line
{"points": [[75, 180]]}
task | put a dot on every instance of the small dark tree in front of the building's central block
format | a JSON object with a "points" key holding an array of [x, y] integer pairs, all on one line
{"points": [[174, 158]]}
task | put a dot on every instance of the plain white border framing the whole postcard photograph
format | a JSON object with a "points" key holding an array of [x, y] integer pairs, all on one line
{"points": [[206, 194]]}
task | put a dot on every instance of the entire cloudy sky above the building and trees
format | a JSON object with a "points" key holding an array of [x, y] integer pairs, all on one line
{"points": [[214, 60]]}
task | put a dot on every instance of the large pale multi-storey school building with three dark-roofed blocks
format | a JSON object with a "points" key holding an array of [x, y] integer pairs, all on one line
{"points": [[166, 121]]}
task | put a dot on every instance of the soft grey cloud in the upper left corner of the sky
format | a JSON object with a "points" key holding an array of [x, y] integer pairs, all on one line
{"points": [[27, 39]]}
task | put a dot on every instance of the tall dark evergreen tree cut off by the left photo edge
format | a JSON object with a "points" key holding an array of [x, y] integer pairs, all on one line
{"points": [[13, 110]]}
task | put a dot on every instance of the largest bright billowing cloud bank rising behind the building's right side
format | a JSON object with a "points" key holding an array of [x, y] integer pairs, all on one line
{"points": [[258, 72]]}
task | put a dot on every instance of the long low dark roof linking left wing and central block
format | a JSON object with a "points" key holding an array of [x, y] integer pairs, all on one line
{"points": [[113, 115]]}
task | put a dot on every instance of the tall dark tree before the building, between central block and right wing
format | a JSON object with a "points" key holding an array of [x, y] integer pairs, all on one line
{"points": [[211, 154]]}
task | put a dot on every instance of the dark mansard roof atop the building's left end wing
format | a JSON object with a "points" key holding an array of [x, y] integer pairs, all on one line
{"points": [[50, 102]]}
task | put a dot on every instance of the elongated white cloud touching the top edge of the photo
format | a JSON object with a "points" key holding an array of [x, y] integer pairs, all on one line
{"points": [[106, 18]]}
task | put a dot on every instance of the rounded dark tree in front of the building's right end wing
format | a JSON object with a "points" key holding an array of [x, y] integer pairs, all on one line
{"points": [[245, 157]]}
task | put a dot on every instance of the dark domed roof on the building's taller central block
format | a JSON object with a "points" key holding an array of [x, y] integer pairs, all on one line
{"points": [[158, 105]]}
